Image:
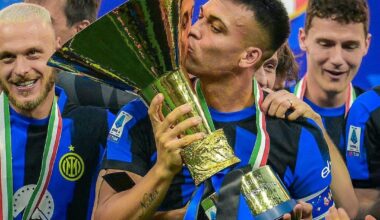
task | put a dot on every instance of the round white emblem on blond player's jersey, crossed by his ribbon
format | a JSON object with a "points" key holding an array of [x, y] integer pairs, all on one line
{"points": [[21, 198]]}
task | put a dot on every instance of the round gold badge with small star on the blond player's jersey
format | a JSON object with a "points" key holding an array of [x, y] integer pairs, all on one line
{"points": [[71, 165]]}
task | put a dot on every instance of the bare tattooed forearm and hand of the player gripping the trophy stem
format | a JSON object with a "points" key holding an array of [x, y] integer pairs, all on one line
{"points": [[142, 200]]}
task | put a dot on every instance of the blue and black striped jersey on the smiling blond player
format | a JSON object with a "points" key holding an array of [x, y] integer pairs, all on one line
{"points": [[70, 193]]}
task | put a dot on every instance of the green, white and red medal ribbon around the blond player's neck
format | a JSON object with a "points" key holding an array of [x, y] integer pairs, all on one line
{"points": [[48, 158]]}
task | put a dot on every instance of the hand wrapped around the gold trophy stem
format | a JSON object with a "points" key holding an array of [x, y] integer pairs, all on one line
{"points": [[168, 134]]}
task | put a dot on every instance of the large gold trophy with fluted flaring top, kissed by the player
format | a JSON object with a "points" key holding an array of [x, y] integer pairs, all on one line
{"points": [[137, 47]]}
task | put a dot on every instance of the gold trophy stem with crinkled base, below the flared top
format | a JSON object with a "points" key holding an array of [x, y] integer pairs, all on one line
{"points": [[205, 157]]}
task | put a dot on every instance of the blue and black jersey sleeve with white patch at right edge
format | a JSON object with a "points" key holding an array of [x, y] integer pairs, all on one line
{"points": [[362, 140]]}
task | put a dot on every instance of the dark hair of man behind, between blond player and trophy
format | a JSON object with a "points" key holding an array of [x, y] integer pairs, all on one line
{"points": [[78, 10]]}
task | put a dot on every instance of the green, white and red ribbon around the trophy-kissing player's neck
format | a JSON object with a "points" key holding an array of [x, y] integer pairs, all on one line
{"points": [[260, 152]]}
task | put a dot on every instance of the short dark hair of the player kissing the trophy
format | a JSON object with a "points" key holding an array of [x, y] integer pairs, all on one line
{"points": [[273, 20]]}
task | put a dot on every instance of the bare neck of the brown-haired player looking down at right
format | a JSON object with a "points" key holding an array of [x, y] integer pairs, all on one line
{"points": [[322, 98]]}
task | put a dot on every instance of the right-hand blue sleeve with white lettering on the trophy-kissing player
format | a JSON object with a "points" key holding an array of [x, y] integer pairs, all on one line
{"points": [[311, 178]]}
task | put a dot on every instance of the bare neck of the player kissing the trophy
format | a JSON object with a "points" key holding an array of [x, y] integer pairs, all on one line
{"points": [[229, 94]]}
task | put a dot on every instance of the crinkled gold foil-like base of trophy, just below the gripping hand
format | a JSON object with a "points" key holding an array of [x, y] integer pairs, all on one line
{"points": [[208, 156]]}
